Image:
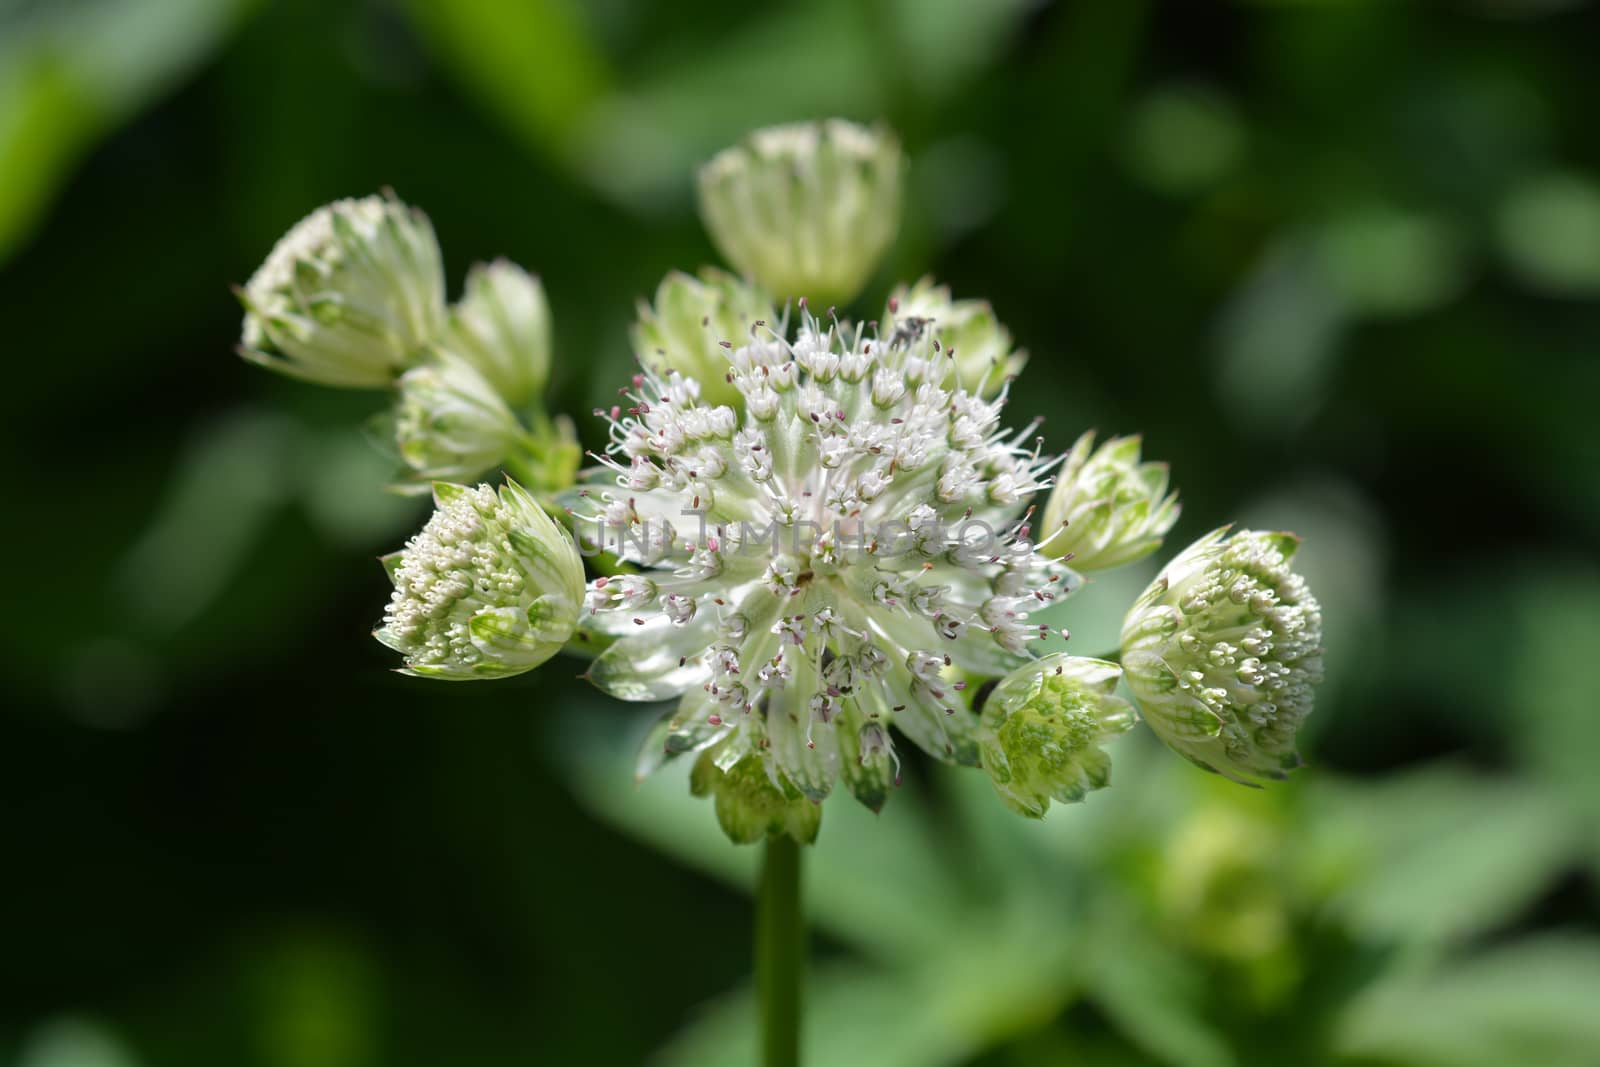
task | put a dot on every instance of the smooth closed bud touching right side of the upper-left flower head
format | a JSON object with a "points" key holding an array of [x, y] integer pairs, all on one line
{"points": [[502, 326]]}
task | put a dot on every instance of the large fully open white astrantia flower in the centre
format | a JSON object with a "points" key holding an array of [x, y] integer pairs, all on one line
{"points": [[820, 567]]}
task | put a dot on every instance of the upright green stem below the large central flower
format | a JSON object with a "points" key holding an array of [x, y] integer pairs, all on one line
{"points": [[780, 953]]}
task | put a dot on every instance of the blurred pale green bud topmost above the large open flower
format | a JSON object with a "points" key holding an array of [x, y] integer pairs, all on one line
{"points": [[809, 209]]}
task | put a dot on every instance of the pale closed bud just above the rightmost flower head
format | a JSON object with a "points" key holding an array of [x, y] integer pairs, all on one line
{"points": [[1108, 508]]}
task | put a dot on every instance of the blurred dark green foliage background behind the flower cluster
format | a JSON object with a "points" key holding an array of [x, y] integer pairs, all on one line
{"points": [[1338, 262]]}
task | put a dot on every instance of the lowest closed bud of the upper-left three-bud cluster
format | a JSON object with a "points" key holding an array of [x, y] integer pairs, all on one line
{"points": [[450, 423]]}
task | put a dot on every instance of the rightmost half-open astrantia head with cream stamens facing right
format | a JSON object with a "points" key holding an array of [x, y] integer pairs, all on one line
{"points": [[1223, 652]]}
